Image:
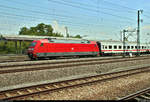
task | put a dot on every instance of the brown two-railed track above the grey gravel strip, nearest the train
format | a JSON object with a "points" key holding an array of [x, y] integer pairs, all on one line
{"points": [[61, 64]]}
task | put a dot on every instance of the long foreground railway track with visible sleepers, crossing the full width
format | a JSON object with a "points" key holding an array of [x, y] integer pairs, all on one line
{"points": [[23, 93]]}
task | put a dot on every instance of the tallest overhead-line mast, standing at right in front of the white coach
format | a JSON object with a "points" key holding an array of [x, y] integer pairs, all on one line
{"points": [[138, 32]]}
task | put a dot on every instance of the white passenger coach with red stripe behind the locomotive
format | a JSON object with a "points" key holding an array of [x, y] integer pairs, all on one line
{"points": [[116, 47]]}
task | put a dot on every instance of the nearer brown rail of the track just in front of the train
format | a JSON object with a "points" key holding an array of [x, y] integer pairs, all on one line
{"points": [[63, 66]]}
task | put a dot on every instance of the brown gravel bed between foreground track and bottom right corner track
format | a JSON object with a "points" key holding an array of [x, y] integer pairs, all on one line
{"points": [[109, 90]]}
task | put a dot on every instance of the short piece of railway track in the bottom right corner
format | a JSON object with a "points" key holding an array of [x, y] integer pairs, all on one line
{"points": [[138, 96]]}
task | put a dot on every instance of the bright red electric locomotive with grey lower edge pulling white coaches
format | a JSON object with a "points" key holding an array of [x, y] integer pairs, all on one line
{"points": [[48, 48]]}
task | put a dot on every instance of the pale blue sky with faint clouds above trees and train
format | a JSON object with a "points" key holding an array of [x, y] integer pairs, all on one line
{"points": [[92, 19]]}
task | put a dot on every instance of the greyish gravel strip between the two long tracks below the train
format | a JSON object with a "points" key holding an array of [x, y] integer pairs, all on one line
{"points": [[24, 79]]}
